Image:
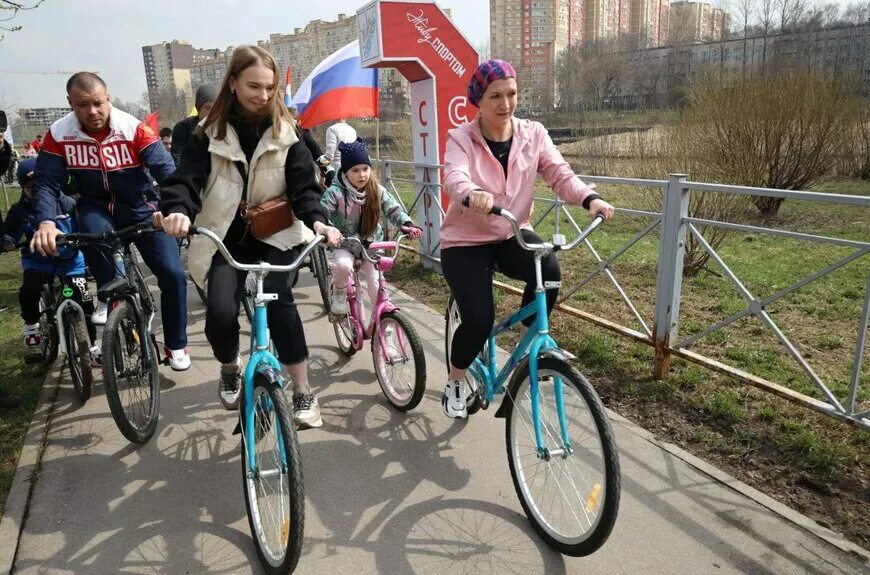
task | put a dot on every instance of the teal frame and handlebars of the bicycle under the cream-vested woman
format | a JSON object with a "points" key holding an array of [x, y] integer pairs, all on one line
{"points": [[262, 361]]}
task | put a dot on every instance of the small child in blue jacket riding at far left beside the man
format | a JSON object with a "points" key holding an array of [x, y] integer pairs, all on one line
{"points": [[69, 265]]}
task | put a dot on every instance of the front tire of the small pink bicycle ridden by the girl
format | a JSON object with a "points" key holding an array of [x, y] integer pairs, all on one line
{"points": [[381, 369]]}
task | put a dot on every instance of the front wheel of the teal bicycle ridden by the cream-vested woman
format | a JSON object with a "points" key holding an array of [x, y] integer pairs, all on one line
{"points": [[274, 494]]}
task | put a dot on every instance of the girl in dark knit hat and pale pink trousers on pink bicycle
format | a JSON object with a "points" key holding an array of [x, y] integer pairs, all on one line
{"points": [[355, 203]]}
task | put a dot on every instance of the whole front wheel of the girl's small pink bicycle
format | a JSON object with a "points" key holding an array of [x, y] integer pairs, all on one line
{"points": [[401, 367]]}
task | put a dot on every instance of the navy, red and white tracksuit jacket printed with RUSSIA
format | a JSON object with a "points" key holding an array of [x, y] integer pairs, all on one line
{"points": [[117, 173]]}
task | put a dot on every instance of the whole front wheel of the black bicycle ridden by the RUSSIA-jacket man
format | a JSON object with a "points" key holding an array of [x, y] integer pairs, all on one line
{"points": [[132, 382]]}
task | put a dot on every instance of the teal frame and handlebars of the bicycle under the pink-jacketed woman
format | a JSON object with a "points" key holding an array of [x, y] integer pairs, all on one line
{"points": [[536, 343]]}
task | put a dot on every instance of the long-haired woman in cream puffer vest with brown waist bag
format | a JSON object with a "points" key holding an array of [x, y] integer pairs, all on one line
{"points": [[248, 134]]}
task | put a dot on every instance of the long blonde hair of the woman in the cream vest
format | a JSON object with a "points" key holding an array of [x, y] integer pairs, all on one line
{"points": [[243, 58]]}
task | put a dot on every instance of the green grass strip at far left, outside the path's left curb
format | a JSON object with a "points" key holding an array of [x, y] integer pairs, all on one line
{"points": [[16, 376]]}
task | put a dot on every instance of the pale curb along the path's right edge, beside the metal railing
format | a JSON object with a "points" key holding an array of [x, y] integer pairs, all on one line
{"points": [[769, 503]]}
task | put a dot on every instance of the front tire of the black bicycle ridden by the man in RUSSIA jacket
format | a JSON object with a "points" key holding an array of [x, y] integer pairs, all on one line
{"points": [[124, 317]]}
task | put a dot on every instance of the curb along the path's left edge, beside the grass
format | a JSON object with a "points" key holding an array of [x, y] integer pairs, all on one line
{"points": [[18, 499]]}
